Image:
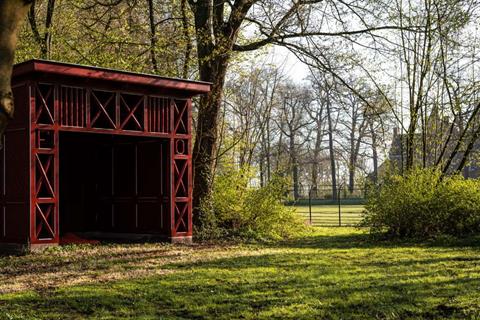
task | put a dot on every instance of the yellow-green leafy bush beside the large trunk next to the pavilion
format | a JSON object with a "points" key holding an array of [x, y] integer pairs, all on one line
{"points": [[242, 211]]}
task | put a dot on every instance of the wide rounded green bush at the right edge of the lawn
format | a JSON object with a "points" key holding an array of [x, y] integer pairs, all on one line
{"points": [[422, 204]]}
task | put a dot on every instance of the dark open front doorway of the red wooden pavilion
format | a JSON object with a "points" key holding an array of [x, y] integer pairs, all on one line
{"points": [[113, 184]]}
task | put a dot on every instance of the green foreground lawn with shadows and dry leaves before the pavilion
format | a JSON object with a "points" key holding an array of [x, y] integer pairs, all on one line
{"points": [[332, 273]]}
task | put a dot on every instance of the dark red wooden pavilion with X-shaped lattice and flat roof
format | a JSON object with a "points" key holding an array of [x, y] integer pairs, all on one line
{"points": [[96, 150]]}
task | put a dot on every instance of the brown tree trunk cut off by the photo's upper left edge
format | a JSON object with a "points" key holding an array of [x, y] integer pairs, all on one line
{"points": [[12, 14]]}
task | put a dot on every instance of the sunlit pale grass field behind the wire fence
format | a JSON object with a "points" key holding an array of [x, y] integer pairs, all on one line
{"points": [[327, 215]]}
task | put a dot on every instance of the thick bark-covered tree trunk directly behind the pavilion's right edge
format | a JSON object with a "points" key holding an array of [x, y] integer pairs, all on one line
{"points": [[215, 39]]}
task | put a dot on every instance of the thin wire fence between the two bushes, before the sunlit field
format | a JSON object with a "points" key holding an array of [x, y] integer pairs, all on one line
{"points": [[328, 206]]}
